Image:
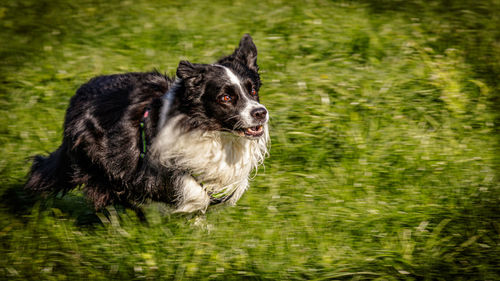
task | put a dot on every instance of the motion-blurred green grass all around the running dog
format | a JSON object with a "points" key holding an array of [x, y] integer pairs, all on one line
{"points": [[384, 159]]}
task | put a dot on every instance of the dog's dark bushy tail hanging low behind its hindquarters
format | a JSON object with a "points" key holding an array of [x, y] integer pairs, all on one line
{"points": [[49, 174]]}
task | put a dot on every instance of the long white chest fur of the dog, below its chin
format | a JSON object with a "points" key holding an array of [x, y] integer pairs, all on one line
{"points": [[222, 161]]}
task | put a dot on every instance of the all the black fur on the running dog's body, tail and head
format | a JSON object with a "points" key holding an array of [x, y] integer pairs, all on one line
{"points": [[102, 138]]}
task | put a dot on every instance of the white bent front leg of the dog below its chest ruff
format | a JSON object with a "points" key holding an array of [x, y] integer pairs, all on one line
{"points": [[191, 196]]}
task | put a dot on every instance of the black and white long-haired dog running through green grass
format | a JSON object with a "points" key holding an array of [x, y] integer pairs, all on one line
{"points": [[191, 141]]}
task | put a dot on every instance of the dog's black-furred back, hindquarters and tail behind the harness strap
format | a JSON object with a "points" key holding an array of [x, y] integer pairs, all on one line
{"points": [[101, 142]]}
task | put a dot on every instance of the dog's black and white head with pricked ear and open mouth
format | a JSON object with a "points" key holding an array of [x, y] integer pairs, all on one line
{"points": [[225, 96]]}
